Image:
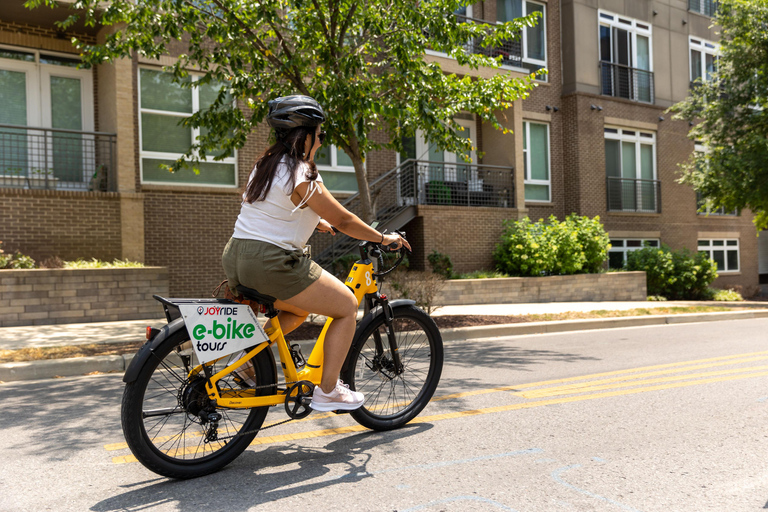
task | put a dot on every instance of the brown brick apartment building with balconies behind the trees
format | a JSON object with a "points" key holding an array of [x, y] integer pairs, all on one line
{"points": [[79, 149]]}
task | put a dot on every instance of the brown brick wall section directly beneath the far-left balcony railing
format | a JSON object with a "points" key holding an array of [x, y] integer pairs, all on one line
{"points": [[70, 225]]}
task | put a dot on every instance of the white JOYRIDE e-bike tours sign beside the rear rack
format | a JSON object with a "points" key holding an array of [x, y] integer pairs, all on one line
{"points": [[217, 330]]}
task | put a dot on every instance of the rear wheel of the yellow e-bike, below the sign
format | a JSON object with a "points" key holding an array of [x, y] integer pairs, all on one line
{"points": [[161, 384]]}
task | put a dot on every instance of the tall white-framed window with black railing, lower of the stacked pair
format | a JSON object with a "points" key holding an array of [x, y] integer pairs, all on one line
{"points": [[630, 169]]}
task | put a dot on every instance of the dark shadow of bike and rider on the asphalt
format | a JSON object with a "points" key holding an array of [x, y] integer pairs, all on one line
{"points": [[266, 475]]}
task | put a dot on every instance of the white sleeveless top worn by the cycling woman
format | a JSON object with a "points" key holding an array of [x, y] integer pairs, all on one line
{"points": [[276, 219]]}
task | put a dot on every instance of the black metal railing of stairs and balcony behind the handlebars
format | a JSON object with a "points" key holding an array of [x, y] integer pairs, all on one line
{"points": [[395, 194]]}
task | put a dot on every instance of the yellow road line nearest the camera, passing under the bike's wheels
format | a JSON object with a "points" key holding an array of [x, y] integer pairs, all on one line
{"points": [[488, 410]]}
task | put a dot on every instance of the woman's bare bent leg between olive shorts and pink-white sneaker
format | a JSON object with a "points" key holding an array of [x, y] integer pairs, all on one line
{"points": [[329, 297]]}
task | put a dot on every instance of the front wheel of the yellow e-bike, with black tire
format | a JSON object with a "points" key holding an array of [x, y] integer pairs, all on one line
{"points": [[391, 400]]}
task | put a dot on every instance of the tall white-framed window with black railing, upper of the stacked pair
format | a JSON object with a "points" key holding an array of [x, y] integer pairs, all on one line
{"points": [[626, 58]]}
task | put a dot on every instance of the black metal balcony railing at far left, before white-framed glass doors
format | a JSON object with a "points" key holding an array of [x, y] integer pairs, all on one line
{"points": [[48, 158]]}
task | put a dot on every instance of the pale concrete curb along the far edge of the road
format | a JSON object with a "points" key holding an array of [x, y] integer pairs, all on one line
{"points": [[33, 370]]}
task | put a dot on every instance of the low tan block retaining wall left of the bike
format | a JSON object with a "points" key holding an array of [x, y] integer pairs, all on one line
{"points": [[39, 297]]}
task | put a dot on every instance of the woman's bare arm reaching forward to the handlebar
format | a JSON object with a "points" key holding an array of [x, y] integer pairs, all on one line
{"points": [[342, 219]]}
